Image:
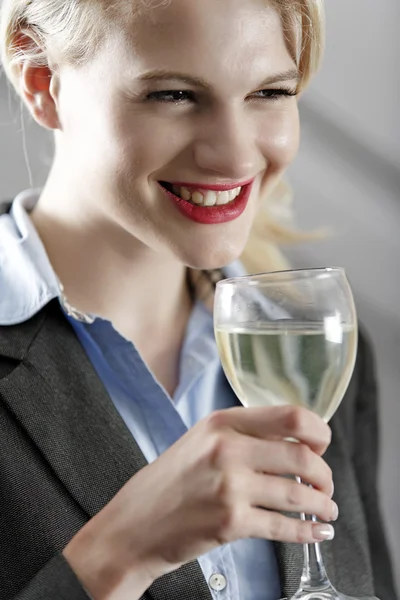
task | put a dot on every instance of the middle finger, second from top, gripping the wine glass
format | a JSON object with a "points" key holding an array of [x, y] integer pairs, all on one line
{"points": [[286, 458]]}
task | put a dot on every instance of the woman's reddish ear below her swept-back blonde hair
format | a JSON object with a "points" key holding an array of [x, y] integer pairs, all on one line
{"points": [[38, 86]]}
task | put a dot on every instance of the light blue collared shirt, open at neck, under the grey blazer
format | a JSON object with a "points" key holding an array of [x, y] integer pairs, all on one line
{"points": [[246, 569]]}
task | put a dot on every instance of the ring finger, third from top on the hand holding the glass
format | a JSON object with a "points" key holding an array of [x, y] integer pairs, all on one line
{"points": [[277, 493]]}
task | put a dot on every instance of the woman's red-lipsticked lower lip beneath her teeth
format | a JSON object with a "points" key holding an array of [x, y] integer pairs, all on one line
{"points": [[212, 215]]}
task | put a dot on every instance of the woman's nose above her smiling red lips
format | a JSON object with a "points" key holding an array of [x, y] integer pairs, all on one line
{"points": [[226, 146]]}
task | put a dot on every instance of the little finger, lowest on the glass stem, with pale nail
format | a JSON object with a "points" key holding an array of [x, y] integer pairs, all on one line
{"points": [[276, 527]]}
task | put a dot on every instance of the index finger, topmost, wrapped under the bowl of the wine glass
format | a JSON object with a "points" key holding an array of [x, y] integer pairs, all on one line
{"points": [[278, 421]]}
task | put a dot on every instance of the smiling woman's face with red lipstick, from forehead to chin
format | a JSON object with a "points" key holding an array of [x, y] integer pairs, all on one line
{"points": [[180, 125]]}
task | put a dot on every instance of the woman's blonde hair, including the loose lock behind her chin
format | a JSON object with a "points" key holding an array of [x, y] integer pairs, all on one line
{"points": [[70, 31]]}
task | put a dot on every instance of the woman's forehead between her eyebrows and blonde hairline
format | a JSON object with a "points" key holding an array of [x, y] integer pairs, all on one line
{"points": [[210, 37]]}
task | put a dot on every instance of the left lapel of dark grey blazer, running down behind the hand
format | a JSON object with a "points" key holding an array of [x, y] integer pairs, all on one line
{"points": [[63, 406]]}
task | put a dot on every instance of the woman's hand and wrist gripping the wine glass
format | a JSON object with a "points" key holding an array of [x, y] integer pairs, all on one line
{"points": [[209, 488]]}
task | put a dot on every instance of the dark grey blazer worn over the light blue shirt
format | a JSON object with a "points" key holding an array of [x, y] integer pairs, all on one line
{"points": [[65, 452]]}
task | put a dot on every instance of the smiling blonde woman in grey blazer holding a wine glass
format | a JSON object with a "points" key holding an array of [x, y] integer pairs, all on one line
{"points": [[171, 121]]}
